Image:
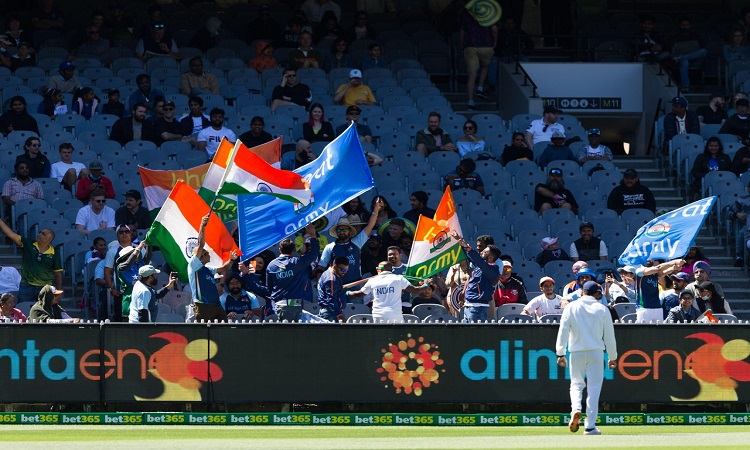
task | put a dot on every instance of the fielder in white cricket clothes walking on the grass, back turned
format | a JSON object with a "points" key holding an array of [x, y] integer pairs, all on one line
{"points": [[586, 329]]}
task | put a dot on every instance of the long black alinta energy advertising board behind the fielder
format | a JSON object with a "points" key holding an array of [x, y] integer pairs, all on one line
{"points": [[362, 363]]}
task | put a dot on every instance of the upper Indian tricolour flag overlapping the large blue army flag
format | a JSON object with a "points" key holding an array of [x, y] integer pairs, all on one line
{"points": [[248, 173]]}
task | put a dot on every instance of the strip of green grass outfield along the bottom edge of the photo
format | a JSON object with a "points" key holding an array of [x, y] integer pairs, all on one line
{"points": [[682, 437]]}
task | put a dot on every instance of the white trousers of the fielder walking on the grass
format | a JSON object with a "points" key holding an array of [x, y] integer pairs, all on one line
{"points": [[586, 370]]}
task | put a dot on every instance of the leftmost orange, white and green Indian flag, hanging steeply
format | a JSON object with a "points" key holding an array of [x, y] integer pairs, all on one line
{"points": [[175, 230]]}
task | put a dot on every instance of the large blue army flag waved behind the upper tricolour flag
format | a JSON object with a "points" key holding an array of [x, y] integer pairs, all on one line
{"points": [[338, 175]]}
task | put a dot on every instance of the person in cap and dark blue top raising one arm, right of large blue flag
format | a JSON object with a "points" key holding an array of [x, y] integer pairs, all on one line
{"points": [[347, 244]]}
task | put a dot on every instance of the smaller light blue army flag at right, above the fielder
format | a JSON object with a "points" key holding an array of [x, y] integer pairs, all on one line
{"points": [[668, 236]]}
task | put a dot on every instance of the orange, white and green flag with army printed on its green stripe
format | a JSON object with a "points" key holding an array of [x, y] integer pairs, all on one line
{"points": [[434, 249]]}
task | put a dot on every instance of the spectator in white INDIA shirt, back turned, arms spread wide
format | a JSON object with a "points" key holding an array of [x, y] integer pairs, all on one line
{"points": [[386, 290]]}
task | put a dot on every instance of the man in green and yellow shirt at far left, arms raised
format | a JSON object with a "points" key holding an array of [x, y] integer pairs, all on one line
{"points": [[40, 263]]}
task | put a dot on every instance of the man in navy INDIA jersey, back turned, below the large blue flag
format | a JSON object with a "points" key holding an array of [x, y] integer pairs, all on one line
{"points": [[288, 277]]}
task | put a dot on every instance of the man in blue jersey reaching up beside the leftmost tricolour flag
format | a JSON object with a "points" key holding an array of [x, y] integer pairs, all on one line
{"points": [[206, 302]]}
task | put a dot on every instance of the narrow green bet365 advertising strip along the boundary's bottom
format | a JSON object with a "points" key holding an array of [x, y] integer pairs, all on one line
{"points": [[364, 419]]}
